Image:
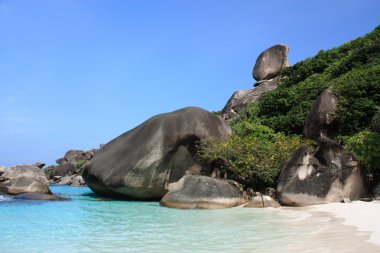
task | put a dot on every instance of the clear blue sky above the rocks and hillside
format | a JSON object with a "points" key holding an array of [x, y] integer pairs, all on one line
{"points": [[77, 73]]}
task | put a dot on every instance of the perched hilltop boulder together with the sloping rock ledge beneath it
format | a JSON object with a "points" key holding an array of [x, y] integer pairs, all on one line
{"points": [[266, 70]]}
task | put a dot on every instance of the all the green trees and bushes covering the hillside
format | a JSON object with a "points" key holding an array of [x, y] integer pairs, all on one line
{"points": [[268, 131]]}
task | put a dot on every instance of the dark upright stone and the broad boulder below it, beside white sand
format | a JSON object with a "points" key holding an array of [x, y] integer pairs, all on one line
{"points": [[327, 174]]}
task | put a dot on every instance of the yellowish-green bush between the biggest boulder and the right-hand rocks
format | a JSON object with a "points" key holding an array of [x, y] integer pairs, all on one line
{"points": [[256, 154]]}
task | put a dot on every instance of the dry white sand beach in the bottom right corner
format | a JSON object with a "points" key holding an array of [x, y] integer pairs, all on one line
{"points": [[362, 215]]}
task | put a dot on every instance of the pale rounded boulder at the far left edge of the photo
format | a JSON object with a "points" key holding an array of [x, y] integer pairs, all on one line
{"points": [[23, 179]]}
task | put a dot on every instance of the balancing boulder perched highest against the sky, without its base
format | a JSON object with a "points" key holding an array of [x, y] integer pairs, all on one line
{"points": [[270, 62]]}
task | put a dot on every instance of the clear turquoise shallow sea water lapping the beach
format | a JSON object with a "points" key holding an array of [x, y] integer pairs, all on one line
{"points": [[89, 223]]}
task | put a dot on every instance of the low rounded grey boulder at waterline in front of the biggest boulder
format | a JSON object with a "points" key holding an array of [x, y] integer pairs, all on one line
{"points": [[202, 192]]}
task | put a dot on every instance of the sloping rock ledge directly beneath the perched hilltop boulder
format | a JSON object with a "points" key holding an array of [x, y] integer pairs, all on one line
{"points": [[243, 97]]}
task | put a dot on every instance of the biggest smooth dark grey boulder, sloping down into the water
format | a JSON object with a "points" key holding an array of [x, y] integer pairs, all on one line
{"points": [[143, 161]]}
